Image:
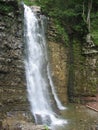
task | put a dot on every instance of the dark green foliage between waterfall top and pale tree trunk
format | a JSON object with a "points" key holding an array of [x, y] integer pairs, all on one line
{"points": [[67, 14]]}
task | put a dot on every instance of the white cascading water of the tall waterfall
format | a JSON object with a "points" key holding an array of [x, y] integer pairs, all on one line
{"points": [[37, 71]]}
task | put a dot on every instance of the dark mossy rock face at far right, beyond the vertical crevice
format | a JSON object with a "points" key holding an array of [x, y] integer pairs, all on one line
{"points": [[85, 69]]}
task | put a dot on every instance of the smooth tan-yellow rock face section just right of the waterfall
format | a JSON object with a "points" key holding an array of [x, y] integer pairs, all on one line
{"points": [[59, 71]]}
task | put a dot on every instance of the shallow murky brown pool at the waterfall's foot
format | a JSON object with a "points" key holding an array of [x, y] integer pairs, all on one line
{"points": [[79, 117]]}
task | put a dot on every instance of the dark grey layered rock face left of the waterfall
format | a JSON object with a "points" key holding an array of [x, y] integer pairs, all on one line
{"points": [[12, 77]]}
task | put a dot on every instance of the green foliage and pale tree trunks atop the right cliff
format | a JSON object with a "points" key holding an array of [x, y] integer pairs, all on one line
{"points": [[76, 18]]}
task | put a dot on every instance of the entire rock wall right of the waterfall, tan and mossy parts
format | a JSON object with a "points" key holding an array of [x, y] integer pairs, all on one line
{"points": [[74, 67]]}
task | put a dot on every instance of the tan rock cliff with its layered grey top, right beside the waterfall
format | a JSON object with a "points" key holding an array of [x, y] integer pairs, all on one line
{"points": [[58, 58]]}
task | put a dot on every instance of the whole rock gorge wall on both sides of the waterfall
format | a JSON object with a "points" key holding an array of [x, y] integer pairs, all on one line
{"points": [[74, 67]]}
